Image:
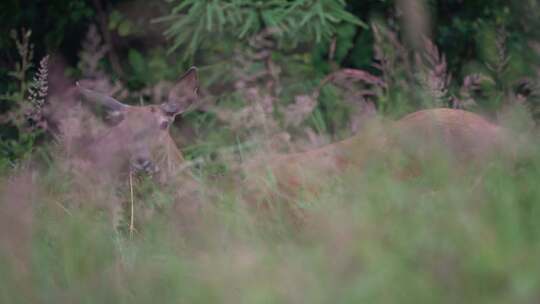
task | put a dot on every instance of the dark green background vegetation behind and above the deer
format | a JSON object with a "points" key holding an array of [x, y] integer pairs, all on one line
{"points": [[492, 40]]}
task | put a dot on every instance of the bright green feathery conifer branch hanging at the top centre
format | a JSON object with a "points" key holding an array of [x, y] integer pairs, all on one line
{"points": [[291, 22]]}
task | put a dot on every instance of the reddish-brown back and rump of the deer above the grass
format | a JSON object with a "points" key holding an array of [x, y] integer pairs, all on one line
{"points": [[466, 138]]}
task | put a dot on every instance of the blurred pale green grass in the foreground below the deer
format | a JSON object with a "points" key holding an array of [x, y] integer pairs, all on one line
{"points": [[449, 236]]}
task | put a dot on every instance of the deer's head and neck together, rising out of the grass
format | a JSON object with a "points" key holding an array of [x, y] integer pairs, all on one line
{"points": [[136, 142]]}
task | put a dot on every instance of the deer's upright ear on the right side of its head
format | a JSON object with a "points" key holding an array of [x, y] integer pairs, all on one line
{"points": [[183, 94]]}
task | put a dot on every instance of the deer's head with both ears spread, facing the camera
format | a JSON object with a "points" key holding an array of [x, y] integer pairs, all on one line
{"points": [[137, 139]]}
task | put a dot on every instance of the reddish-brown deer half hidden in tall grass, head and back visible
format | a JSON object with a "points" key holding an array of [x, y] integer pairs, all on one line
{"points": [[141, 141]]}
